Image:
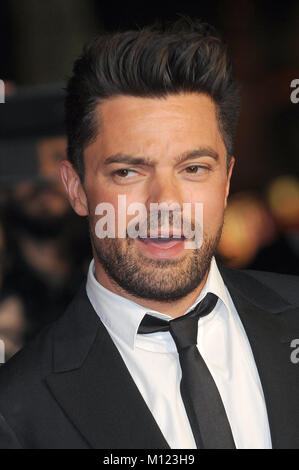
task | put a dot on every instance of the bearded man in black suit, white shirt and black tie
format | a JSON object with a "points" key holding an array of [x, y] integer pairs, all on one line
{"points": [[162, 348]]}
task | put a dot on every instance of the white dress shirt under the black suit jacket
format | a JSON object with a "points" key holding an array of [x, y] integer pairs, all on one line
{"points": [[153, 363]]}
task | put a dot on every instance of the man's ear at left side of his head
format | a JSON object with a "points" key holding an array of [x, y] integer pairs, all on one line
{"points": [[74, 188]]}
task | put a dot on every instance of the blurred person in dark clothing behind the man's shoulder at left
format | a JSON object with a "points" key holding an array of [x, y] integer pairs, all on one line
{"points": [[36, 218]]}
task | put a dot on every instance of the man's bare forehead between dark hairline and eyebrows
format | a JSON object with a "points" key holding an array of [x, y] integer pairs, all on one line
{"points": [[146, 125]]}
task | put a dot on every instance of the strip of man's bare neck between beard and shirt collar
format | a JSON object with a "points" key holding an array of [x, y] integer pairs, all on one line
{"points": [[179, 306]]}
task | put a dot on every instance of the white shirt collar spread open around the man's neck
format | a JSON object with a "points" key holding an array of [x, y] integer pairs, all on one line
{"points": [[123, 316]]}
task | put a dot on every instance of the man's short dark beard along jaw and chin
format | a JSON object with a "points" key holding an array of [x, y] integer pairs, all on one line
{"points": [[163, 280]]}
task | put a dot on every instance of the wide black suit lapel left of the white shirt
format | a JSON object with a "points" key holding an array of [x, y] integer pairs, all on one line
{"points": [[96, 390]]}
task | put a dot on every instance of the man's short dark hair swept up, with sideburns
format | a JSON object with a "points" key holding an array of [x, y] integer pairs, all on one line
{"points": [[155, 61]]}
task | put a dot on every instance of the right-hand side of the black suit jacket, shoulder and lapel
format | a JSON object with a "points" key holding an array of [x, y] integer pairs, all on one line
{"points": [[263, 314]]}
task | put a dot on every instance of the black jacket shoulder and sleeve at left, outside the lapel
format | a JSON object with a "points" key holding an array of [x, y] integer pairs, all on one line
{"points": [[25, 398]]}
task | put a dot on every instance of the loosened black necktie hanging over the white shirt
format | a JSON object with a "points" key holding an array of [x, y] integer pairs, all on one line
{"points": [[199, 392]]}
